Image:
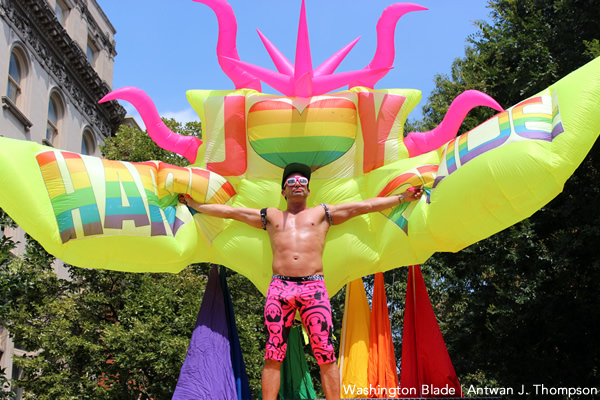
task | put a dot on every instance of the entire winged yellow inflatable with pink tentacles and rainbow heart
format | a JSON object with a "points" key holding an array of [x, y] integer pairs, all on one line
{"points": [[118, 215]]}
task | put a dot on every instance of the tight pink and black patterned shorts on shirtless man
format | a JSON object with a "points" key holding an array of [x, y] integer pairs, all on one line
{"points": [[309, 296]]}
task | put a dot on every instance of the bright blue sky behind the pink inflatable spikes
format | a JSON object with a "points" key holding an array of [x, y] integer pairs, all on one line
{"points": [[168, 47]]}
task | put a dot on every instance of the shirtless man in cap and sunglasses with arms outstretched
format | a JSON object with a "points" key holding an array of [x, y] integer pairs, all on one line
{"points": [[297, 240]]}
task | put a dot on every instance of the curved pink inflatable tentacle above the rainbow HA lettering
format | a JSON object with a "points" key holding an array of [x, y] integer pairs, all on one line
{"points": [[186, 146]]}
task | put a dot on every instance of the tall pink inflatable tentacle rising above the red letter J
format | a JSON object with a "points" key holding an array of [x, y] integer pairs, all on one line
{"points": [[226, 45]]}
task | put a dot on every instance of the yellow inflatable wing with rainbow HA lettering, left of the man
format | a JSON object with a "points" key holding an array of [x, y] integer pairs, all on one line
{"points": [[99, 213]]}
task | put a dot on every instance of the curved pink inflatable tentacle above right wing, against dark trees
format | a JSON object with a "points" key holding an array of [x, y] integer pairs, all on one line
{"points": [[422, 142]]}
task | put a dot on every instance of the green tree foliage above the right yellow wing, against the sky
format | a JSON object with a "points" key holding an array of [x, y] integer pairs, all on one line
{"points": [[528, 45]]}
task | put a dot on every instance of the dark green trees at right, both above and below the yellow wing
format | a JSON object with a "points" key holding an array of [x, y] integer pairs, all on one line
{"points": [[520, 308]]}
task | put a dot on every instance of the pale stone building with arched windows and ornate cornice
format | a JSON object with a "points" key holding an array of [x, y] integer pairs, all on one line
{"points": [[56, 62]]}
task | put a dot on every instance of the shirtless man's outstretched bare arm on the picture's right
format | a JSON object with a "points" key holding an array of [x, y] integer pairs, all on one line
{"points": [[343, 212]]}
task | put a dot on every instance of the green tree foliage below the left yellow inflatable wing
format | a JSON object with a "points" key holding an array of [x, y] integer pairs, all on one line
{"points": [[103, 334]]}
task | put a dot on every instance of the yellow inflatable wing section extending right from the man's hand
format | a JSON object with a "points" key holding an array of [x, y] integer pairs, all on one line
{"points": [[509, 167]]}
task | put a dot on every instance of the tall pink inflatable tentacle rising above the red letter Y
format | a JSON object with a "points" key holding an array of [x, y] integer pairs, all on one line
{"points": [[386, 27]]}
